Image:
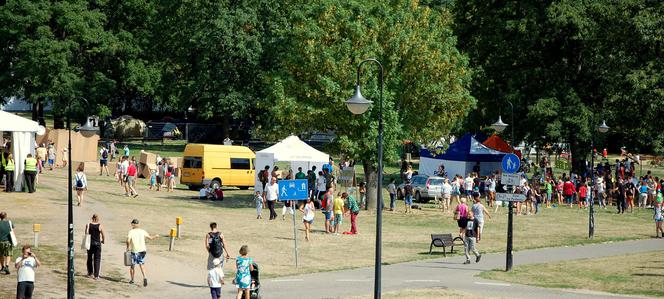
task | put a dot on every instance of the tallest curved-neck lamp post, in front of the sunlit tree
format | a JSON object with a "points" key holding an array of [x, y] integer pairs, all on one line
{"points": [[358, 105]]}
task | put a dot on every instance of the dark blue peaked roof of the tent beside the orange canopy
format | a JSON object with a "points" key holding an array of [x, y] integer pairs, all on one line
{"points": [[467, 148]]}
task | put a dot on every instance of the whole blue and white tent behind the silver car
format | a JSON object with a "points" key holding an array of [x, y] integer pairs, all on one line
{"points": [[460, 158]]}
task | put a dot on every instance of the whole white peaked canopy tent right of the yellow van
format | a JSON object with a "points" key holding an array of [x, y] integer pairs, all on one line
{"points": [[292, 150]]}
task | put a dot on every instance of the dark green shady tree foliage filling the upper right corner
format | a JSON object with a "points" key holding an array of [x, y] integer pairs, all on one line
{"points": [[566, 65]]}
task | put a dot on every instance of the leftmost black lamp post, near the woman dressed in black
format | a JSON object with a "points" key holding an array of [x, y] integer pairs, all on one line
{"points": [[70, 210]]}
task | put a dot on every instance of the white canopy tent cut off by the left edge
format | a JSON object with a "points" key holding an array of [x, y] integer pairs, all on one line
{"points": [[22, 141]]}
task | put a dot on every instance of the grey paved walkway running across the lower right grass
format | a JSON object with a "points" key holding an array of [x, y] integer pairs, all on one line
{"points": [[451, 273]]}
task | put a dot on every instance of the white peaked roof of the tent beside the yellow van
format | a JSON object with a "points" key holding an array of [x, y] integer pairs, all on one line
{"points": [[294, 149]]}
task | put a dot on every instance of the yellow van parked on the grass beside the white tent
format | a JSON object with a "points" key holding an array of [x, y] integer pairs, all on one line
{"points": [[218, 165]]}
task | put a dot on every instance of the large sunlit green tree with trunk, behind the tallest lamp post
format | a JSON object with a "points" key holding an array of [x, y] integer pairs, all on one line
{"points": [[426, 78]]}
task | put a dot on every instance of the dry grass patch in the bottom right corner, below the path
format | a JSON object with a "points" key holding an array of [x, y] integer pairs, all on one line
{"points": [[635, 274]]}
